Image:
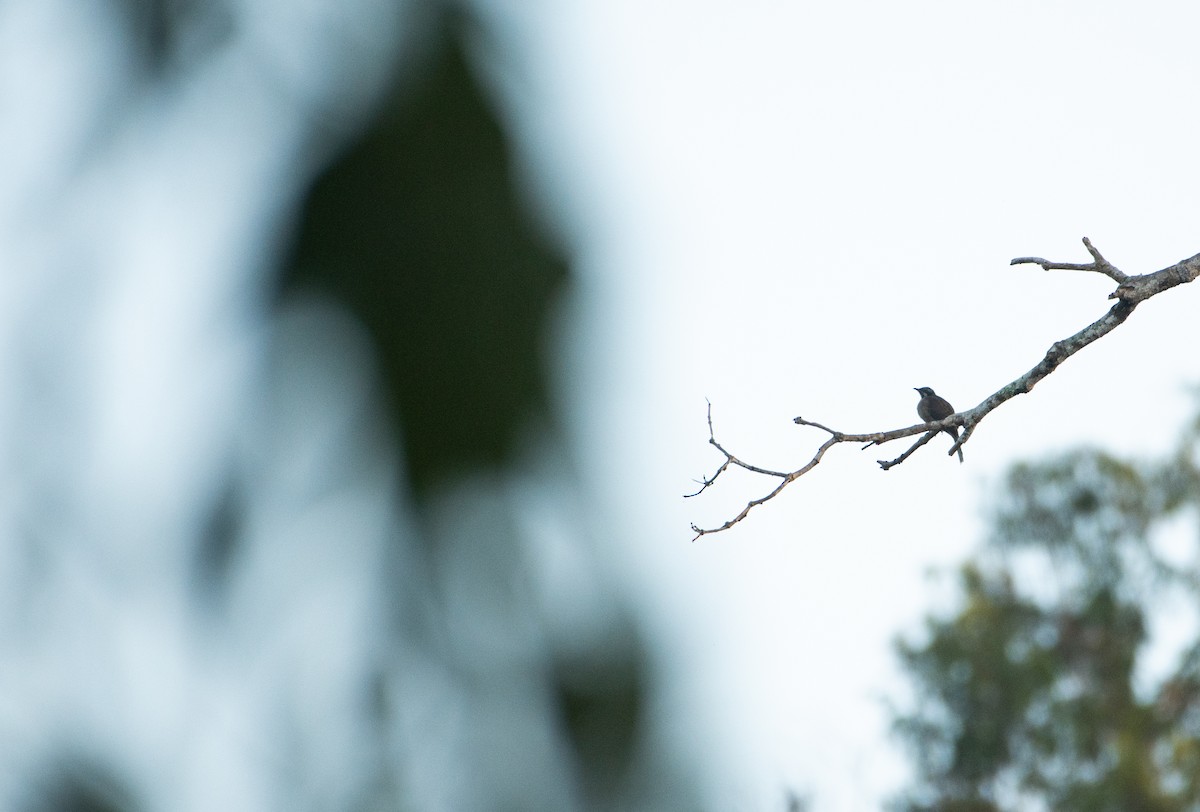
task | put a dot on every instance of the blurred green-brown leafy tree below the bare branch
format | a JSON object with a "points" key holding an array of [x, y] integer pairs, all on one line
{"points": [[1036, 693]]}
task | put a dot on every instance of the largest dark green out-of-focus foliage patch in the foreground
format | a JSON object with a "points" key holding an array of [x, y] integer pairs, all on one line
{"points": [[419, 231]]}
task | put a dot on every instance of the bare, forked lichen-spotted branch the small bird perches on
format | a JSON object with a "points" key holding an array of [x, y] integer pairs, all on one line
{"points": [[1130, 293]]}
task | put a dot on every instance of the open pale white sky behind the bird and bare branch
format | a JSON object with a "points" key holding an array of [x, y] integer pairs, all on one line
{"points": [[809, 209]]}
